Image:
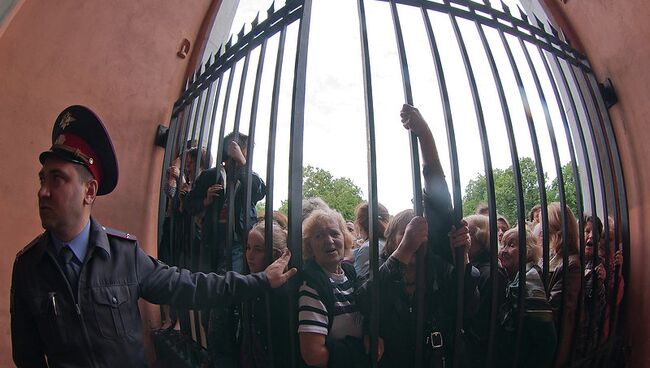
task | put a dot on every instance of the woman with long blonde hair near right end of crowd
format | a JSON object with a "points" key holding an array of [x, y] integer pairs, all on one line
{"points": [[563, 294]]}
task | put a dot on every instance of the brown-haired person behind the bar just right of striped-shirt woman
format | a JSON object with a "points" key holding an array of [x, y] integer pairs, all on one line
{"points": [[362, 225]]}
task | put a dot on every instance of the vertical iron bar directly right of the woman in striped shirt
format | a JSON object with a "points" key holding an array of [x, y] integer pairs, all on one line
{"points": [[372, 187]]}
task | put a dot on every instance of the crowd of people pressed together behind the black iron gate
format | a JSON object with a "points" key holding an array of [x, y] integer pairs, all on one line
{"points": [[334, 287]]}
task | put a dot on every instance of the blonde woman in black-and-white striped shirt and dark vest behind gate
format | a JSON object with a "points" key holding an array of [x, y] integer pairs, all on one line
{"points": [[329, 320]]}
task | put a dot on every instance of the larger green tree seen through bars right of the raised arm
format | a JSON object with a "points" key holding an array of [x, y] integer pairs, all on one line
{"points": [[504, 190]]}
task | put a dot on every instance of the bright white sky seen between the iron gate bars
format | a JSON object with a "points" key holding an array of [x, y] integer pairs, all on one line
{"points": [[335, 136]]}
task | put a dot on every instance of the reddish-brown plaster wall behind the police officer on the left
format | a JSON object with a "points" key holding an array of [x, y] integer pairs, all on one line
{"points": [[117, 57]]}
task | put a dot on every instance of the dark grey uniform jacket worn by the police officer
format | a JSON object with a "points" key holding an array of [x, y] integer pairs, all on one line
{"points": [[101, 326]]}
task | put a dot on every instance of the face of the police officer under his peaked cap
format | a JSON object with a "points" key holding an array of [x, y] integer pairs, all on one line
{"points": [[64, 198]]}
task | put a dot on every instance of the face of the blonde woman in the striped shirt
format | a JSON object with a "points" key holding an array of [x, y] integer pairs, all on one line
{"points": [[327, 244]]}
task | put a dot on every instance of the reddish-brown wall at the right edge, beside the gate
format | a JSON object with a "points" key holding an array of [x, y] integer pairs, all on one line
{"points": [[614, 35]]}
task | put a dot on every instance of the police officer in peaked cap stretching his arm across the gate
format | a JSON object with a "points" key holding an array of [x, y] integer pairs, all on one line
{"points": [[75, 288]]}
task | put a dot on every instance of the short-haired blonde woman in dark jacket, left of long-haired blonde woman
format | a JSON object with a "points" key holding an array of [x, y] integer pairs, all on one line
{"points": [[538, 340]]}
